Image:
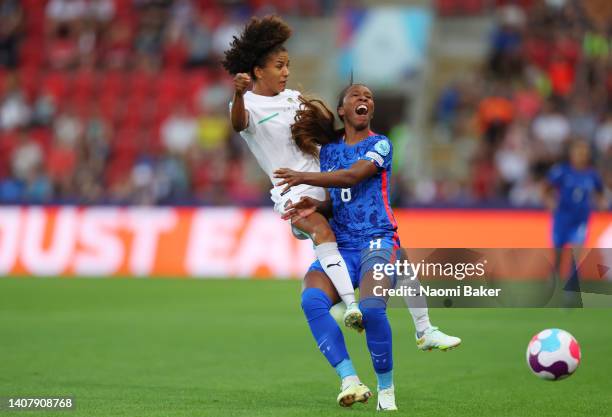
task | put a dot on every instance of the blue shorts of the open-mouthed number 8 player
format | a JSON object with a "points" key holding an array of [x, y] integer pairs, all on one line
{"points": [[361, 260]]}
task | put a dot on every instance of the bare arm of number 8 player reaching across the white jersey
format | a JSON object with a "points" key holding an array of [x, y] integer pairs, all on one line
{"points": [[343, 178]]}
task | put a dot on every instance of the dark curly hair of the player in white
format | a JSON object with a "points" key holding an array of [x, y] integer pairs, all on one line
{"points": [[260, 38]]}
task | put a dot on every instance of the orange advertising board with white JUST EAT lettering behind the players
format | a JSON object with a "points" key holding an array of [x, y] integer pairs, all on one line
{"points": [[229, 242]]}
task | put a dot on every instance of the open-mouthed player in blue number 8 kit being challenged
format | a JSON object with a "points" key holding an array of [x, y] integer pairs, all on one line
{"points": [[356, 167]]}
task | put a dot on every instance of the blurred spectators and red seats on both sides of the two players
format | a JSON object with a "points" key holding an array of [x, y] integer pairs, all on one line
{"points": [[123, 101]]}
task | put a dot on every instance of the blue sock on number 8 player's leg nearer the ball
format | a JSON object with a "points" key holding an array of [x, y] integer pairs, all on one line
{"points": [[379, 339]]}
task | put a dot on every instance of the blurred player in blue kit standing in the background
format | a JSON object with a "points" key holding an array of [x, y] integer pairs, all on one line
{"points": [[573, 189]]}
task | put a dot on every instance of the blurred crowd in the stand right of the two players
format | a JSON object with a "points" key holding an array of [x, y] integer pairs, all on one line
{"points": [[547, 81]]}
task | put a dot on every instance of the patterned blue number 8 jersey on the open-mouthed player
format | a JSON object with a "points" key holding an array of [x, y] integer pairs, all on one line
{"points": [[361, 213]]}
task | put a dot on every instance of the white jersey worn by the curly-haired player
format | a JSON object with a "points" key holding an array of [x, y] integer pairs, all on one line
{"points": [[268, 136]]}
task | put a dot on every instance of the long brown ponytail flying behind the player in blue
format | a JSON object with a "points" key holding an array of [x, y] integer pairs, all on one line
{"points": [[314, 125]]}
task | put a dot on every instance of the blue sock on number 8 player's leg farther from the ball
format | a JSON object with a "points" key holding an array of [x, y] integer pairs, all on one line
{"points": [[316, 305]]}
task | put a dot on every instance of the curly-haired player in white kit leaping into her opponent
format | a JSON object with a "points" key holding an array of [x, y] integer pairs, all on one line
{"points": [[263, 116]]}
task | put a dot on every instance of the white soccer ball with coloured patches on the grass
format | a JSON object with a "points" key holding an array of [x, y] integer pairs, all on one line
{"points": [[553, 354]]}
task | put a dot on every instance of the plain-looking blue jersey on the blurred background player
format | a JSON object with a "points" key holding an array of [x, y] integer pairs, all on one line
{"points": [[576, 190]]}
